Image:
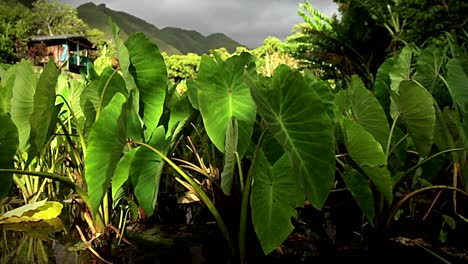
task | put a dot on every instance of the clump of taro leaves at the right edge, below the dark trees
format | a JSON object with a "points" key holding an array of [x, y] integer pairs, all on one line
{"points": [[401, 139]]}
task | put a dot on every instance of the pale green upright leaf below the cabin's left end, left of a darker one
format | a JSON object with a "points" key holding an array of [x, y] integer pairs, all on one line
{"points": [[22, 102]]}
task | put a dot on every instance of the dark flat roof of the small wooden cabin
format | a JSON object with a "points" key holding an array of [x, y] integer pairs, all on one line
{"points": [[81, 40]]}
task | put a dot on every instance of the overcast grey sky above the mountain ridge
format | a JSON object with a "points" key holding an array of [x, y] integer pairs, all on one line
{"points": [[246, 21]]}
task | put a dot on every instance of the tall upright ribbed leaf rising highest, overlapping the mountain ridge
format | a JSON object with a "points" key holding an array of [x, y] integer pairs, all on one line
{"points": [[150, 74]]}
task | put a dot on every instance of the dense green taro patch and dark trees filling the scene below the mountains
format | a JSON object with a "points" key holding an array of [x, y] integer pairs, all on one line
{"points": [[358, 117]]}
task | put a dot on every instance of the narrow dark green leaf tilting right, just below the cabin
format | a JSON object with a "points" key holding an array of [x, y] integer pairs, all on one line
{"points": [[43, 113]]}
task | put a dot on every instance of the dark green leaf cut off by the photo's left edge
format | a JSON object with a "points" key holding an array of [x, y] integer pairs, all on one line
{"points": [[8, 146]]}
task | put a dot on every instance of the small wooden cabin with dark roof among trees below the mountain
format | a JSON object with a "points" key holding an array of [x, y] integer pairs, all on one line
{"points": [[72, 52]]}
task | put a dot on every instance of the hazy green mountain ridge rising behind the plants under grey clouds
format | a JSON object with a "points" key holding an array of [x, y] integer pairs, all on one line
{"points": [[171, 40]]}
